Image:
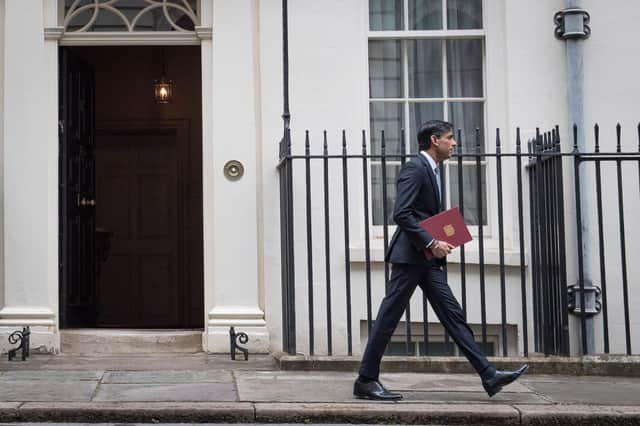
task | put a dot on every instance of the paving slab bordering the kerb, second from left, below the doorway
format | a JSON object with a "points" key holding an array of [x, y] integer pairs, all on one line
{"points": [[192, 392]]}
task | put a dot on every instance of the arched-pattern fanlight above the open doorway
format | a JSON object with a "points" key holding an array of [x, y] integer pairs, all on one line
{"points": [[130, 15]]}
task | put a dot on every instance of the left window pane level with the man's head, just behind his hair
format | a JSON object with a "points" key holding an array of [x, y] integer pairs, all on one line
{"points": [[387, 116]]}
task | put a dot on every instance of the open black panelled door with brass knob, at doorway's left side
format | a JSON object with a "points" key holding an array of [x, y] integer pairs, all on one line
{"points": [[77, 192]]}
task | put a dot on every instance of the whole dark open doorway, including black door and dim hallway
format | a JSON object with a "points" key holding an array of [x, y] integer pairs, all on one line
{"points": [[131, 189]]}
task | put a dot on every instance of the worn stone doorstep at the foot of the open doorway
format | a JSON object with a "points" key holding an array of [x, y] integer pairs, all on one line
{"points": [[126, 341]]}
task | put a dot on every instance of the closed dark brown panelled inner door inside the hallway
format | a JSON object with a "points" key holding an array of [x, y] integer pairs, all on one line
{"points": [[138, 195]]}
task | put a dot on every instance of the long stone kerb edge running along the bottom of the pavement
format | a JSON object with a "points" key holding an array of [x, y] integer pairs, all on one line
{"points": [[374, 413]]}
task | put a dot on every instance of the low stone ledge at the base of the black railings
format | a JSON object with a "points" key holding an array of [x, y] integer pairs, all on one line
{"points": [[605, 365]]}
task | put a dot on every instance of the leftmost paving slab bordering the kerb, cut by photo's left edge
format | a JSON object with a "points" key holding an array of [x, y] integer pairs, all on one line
{"points": [[38, 390]]}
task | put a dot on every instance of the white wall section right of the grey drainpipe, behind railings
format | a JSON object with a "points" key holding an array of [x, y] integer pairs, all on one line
{"points": [[612, 91]]}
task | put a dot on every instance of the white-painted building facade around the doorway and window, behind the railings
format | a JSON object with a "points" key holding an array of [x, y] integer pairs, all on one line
{"points": [[526, 86]]}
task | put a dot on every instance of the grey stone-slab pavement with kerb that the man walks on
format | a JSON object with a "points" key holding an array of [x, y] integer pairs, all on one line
{"points": [[195, 388]]}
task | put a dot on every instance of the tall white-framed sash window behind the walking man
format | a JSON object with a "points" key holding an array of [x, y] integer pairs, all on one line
{"points": [[426, 61]]}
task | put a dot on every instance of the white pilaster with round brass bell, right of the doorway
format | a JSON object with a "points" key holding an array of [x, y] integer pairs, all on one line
{"points": [[232, 256]]}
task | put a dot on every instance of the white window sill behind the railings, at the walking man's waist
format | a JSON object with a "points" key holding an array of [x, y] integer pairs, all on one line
{"points": [[472, 255]]}
